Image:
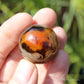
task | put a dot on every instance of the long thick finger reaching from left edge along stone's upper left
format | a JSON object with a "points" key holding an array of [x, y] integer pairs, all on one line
{"points": [[10, 32]]}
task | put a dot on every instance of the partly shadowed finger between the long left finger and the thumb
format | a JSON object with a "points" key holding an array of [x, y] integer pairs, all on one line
{"points": [[10, 65]]}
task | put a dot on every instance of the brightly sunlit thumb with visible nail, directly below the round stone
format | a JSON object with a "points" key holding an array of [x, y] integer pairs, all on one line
{"points": [[26, 73]]}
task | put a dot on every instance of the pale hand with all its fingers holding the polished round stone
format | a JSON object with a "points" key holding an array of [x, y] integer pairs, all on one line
{"points": [[14, 69]]}
